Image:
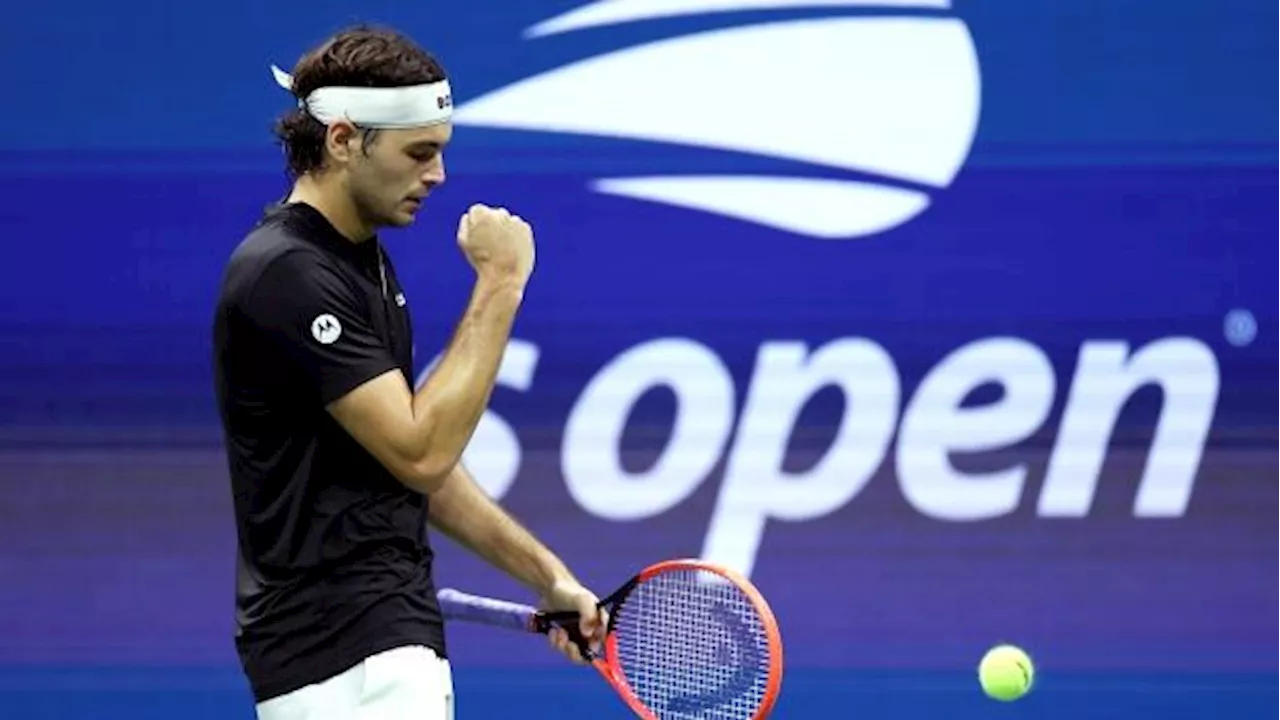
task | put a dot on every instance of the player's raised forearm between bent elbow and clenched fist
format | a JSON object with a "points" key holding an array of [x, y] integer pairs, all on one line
{"points": [[450, 404]]}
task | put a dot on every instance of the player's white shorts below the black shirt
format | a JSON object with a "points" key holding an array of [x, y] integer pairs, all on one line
{"points": [[408, 683]]}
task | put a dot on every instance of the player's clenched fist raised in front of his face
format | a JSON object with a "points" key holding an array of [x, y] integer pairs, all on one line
{"points": [[497, 244]]}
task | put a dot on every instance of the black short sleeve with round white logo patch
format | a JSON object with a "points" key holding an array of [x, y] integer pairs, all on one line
{"points": [[305, 307]]}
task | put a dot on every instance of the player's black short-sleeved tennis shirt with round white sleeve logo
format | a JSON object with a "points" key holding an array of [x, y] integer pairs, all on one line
{"points": [[333, 558]]}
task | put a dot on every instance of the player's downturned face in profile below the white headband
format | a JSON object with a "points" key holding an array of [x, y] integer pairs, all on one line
{"points": [[392, 174]]}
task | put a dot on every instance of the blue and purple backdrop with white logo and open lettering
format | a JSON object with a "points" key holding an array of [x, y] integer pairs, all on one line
{"points": [[950, 326]]}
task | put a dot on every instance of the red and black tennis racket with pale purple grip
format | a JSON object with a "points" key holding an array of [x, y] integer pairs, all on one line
{"points": [[685, 640]]}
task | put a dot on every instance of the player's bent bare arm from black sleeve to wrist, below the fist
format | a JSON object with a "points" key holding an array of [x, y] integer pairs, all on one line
{"points": [[420, 436]]}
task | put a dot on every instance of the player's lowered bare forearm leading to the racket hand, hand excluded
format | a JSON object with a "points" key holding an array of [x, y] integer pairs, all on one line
{"points": [[464, 513]]}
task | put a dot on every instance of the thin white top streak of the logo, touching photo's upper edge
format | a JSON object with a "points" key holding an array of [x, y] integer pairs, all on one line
{"points": [[616, 12]]}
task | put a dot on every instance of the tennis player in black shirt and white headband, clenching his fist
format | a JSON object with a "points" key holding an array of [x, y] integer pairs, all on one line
{"points": [[336, 464]]}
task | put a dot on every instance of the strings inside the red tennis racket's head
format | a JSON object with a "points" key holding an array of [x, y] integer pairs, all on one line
{"points": [[693, 645]]}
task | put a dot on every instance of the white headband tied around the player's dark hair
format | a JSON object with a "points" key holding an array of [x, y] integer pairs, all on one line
{"points": [[413, 107]]}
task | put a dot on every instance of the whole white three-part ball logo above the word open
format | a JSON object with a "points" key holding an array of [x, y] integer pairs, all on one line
{"points": [[881, 110]]}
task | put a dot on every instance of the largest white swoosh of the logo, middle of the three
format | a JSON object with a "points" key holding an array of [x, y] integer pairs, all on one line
{"points": [[860, 94]]}
